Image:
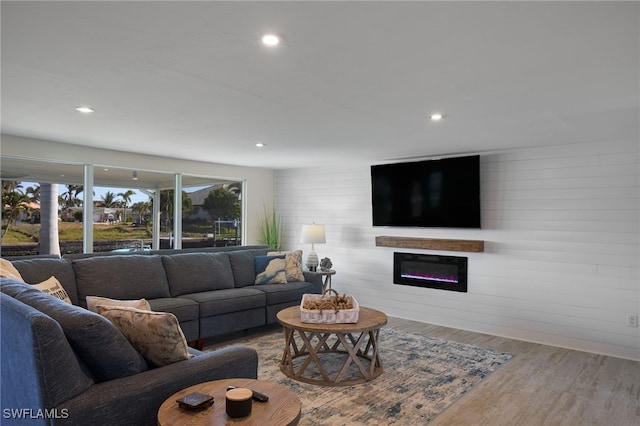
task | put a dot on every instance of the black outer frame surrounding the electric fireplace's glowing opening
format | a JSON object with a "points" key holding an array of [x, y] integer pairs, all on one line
{"points": [[460, 262]]}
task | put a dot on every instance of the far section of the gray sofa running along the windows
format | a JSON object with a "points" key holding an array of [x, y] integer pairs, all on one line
{"points": [[211, 291]]}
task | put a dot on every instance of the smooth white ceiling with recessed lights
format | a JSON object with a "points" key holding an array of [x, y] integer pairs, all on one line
{"points": [[352, 81]]}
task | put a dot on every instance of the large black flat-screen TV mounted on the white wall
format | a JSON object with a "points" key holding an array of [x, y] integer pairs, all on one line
{"points": [[433, 193]]}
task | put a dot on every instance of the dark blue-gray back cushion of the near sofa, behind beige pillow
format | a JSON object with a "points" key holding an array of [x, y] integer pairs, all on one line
{"points": [[96, 341]]}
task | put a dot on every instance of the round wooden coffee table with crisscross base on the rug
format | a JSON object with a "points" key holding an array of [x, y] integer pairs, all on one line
{"points": [[306, 343]]}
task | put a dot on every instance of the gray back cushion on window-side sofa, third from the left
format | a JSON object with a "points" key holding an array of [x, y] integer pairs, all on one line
{"points": [[194, 272]]}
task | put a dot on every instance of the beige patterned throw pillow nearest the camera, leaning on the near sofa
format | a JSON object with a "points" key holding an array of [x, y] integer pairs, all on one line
{"points": [[156, 335]]}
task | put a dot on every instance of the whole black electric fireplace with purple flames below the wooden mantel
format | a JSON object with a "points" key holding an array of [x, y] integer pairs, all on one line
{"points": [[431, 271]]}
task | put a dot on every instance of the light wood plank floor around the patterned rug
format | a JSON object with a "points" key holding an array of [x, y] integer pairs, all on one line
{"points": [[540, 385]]}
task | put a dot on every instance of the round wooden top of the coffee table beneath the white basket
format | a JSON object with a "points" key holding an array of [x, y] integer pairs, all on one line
{"points": [[368, 319]]}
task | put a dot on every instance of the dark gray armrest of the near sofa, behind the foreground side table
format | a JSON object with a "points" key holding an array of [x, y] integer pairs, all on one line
{"points": [[136, 399]]}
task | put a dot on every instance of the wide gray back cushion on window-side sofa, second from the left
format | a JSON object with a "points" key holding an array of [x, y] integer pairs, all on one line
{"points": [[121, 277]]}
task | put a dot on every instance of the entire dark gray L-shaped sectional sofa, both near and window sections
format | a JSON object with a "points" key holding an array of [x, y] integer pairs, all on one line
{"points": [[64, 365]]}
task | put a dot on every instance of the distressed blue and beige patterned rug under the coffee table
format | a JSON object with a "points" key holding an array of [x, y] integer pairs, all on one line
{"points": [[422, 377]]}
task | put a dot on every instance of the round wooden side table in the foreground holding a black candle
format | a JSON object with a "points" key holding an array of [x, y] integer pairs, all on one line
{"points": [[282, 409]]}
